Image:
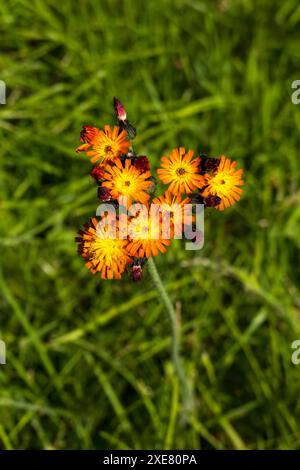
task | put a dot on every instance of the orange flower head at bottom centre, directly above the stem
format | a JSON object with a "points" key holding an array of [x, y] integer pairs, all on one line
{"points": [[145, 237]]}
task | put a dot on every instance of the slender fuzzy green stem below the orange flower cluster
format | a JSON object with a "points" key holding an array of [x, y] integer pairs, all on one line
{"points": [[177, 362]]}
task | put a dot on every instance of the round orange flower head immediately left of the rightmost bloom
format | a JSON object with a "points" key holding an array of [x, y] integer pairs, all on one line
{"points": [[181, 171]]}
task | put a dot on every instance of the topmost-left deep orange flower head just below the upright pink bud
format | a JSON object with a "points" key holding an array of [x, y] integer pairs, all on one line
{"points": [[105, 145]]}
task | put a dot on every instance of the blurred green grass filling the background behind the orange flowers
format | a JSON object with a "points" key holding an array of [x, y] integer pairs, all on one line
{"points": [[88, 363]]}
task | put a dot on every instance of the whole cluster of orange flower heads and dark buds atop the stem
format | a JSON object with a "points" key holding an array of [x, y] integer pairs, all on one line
{"points": [[114, 245]]}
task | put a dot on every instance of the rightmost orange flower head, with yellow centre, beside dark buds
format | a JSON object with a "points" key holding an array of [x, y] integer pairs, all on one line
{"points": [[225, 183]]}
